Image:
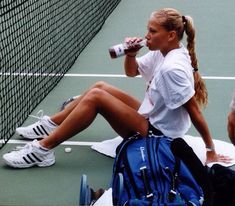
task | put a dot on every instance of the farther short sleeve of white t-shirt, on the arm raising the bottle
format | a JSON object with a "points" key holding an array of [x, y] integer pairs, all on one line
{"points": [[147, 64]]}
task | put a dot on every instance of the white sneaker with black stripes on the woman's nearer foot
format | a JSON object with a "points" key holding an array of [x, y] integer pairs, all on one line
{"points": [[30, 155]]}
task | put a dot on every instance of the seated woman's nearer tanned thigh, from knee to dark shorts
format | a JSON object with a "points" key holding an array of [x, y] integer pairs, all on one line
{"points": [[123, 118]]}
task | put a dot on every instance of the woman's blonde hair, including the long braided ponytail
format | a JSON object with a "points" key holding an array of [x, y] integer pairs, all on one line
{"points": [[172, 20]]}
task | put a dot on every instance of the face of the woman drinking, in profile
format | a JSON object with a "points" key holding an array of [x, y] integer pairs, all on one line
{"points": [[157, 37]]}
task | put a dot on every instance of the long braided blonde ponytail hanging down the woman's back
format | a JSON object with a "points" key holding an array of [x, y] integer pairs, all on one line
{"points": [[201, 94]]}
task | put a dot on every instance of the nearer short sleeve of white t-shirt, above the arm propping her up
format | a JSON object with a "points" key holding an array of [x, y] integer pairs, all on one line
{"points": [[176, 88]]}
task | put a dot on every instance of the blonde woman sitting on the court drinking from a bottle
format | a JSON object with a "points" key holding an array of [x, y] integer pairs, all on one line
{"points": [[175, 92]]}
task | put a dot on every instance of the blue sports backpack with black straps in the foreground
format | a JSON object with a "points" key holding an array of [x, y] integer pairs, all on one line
{"points": [[146, 172]]}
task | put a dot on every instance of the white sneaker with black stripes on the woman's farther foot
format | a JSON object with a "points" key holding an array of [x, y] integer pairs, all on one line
{"points": [[39, 129]]}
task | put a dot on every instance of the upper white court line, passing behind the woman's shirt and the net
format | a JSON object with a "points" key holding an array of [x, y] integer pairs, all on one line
{"points": [[100, 75]]}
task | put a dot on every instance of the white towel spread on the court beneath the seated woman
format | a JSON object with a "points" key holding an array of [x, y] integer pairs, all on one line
{"points": [[108, 147]]}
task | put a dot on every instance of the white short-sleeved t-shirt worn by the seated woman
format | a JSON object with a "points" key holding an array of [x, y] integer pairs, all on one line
{"points": [[170, 85]]}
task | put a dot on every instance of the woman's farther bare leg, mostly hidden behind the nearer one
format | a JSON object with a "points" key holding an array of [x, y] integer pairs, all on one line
{"points": [[119, 94]]}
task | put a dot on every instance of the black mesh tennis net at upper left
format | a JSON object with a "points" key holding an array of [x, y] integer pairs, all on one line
{"points": [[39, 42]]}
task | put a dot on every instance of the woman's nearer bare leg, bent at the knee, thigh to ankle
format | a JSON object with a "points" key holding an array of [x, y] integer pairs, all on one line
{"points": [[123, 118]]}
